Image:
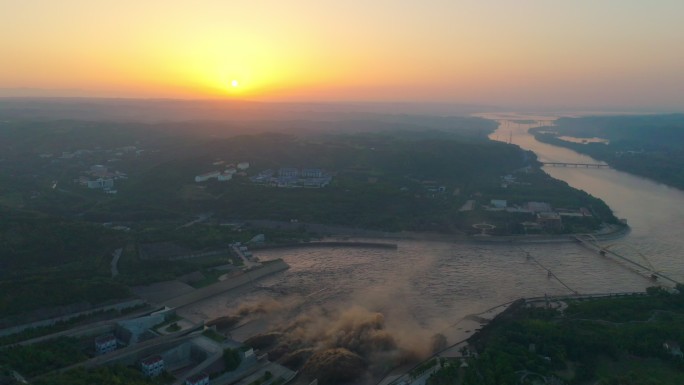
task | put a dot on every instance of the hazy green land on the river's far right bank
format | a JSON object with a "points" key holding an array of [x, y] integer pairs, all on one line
{"points": [[651, 146]]}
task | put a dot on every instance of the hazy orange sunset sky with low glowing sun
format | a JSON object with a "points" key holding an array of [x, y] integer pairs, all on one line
{"points": [[530, 53]]}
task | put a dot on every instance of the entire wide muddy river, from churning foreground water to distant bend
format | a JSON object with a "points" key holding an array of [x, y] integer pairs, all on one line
{"points": [[424, 287]]}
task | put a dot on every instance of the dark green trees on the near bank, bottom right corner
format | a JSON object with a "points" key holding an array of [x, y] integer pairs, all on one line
{"points": [[606, 341]]}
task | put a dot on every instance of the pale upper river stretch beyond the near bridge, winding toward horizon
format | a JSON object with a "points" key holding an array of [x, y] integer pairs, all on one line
{"points": [[654, 212]]}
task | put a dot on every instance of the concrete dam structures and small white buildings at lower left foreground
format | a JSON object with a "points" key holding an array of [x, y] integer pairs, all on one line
{"points": [[160, 343]]}
